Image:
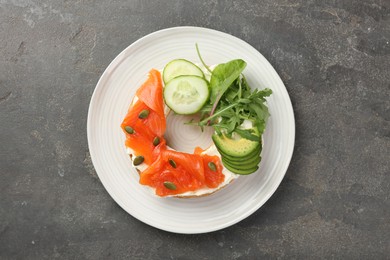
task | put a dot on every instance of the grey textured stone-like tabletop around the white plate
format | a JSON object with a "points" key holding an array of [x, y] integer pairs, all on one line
{"points": [[334, 58]]}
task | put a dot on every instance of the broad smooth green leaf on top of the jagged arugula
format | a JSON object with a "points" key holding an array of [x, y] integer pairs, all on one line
{"points": [[223, 76]]}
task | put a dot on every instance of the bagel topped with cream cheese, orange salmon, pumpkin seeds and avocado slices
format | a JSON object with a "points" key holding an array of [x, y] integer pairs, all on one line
{"points": [[169, 173]]}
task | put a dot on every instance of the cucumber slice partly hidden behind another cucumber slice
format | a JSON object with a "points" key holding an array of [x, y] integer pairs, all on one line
{"points": [[180, 67]]}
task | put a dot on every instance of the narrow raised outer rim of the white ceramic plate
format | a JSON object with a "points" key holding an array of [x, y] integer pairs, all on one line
{"points": [[226, 224]]}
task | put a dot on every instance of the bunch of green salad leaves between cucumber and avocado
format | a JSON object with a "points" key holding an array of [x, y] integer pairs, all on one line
{"points": [[232, 101]]}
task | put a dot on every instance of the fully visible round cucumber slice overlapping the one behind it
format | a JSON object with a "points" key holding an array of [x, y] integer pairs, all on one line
{"points": [[186, 94]]}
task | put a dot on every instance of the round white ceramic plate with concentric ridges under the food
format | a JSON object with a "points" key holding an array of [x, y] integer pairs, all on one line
{"points": [[109, 105]]}
